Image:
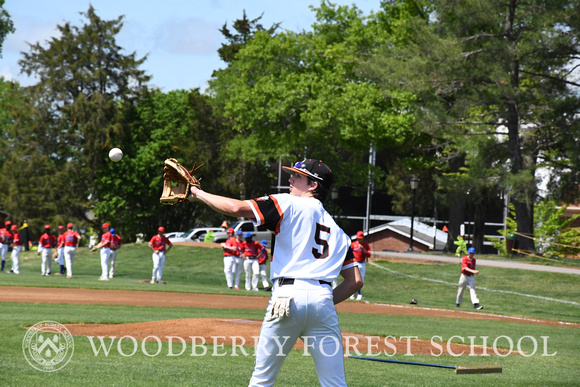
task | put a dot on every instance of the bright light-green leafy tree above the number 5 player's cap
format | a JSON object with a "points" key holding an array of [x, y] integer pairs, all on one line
{"points": [[308, 100]]}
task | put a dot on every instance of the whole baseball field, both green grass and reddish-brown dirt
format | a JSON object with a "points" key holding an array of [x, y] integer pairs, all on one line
{"points": [[194, 331]]}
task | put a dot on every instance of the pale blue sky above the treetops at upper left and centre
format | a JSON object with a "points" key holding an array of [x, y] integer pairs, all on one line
{"points": [[180, 37]]}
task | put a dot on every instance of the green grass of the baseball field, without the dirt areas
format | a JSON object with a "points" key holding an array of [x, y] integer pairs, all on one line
{"points": [[200, 270]]}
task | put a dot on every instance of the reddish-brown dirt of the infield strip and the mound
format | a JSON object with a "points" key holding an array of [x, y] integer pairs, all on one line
{"points": [[236, 331]]}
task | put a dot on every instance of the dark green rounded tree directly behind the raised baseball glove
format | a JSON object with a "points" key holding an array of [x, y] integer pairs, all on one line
{"points": [[179, 125]]}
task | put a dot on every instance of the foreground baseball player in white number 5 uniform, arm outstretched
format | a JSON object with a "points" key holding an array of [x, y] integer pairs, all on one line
{"points": [[310, 252]]}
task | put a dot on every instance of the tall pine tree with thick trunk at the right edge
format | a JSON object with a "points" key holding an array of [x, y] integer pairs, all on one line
{"points": [[504, 71]]}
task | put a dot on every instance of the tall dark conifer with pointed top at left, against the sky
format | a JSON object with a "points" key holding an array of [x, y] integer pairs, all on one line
{"points": [[79, 109]]}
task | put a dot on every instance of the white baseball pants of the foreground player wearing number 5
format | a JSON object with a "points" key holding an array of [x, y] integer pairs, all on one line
{"points": [[312, 318]]}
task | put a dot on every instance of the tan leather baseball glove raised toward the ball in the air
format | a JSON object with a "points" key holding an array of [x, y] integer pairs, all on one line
{"points": [[177, 181]]}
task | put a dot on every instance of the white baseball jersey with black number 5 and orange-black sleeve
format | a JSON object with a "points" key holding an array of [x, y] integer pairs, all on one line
{"points": [[309, 243]]}
